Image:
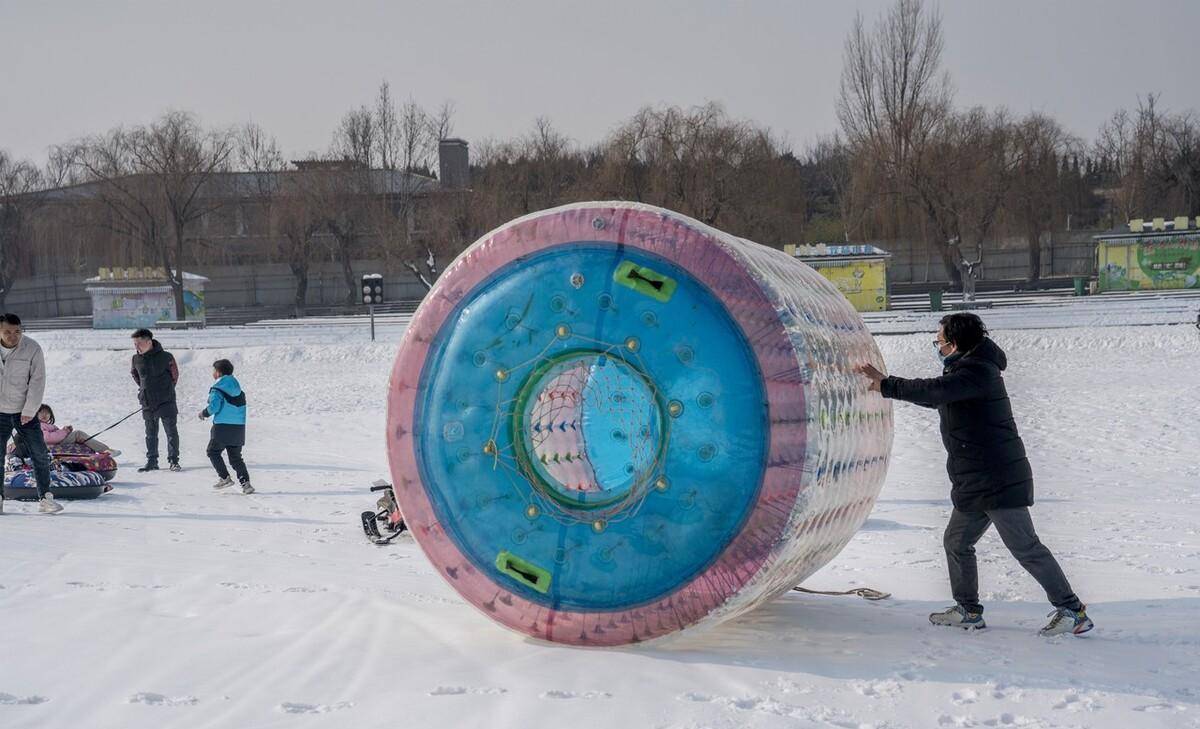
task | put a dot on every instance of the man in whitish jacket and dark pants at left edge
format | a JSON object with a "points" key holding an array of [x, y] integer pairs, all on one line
{"points": [[22, 387]]}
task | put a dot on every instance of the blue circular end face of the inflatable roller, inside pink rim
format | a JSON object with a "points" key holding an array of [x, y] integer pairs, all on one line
{"points": [[592, 427]]}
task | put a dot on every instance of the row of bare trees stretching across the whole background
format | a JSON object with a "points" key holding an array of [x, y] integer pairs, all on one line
{"points": [[907, 164]]}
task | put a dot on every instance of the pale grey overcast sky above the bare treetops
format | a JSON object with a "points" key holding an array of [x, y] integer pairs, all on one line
{"points": [[75, 68]]}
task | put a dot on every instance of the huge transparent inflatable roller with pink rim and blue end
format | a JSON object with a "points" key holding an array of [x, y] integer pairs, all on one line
{"points": [[609, 423]]}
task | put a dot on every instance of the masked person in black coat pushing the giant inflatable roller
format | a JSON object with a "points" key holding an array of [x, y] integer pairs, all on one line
{"points": [[992, 480]]}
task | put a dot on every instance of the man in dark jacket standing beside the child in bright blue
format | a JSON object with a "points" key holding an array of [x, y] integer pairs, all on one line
{"points": [[155, 372]]}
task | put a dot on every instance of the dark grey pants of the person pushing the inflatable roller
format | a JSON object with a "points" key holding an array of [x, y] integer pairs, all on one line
{"points": [[1016, 531]]}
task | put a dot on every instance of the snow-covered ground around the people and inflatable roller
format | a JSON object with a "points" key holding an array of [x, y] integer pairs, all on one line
{"points": [[165, 605]]}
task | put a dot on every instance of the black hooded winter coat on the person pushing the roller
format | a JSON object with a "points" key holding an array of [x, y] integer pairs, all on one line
{"points": [[986, 457]]}
